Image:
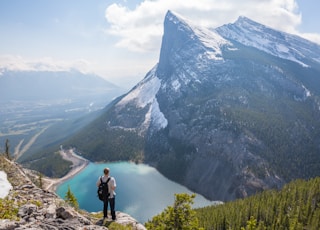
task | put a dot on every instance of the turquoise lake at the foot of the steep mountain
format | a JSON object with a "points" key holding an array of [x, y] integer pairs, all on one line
{"points": [[142, 191]]}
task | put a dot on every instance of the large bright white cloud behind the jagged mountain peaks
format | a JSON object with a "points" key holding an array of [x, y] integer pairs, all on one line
{"points": [[141, 29]]}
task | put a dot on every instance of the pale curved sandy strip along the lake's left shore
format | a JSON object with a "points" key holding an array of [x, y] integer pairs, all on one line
{"points": [[78, 164]]}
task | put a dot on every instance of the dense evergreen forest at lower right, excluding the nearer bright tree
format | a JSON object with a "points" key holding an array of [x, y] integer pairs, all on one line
{"points": [[295, 206]]}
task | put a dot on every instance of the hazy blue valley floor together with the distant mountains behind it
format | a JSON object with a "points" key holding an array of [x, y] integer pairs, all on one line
{"points": [[39, 108]]}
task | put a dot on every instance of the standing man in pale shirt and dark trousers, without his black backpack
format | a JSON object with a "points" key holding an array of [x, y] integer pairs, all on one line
{"points": [[111, 200]]}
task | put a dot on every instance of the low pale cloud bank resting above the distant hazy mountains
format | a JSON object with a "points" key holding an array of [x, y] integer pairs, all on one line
{"points": [[125, 77]]}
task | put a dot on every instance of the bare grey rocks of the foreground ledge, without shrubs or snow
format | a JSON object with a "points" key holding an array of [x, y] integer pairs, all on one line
{"points": [[41, 209]]}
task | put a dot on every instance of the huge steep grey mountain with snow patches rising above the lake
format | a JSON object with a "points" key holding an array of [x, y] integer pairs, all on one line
{"points": [[226, 112]]}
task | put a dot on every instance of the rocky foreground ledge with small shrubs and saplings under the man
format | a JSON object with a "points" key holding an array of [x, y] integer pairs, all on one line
{"points": [[28, 206]]}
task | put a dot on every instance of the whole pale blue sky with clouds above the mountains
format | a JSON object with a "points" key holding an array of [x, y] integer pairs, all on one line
{"points": [[120, 40]]}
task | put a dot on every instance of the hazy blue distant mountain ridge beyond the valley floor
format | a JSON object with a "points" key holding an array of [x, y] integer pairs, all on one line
{"points": [[53, 86]]}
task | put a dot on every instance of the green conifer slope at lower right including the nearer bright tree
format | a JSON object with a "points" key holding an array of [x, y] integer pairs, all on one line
{"points": [[296, 206]]}
